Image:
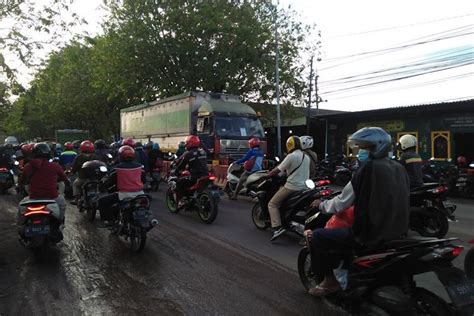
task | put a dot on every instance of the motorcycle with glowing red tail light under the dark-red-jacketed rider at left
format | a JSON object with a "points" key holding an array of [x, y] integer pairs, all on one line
{"points": [[39, 224]]}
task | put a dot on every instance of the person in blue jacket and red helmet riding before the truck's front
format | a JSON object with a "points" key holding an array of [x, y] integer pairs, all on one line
{"points": [[252, 163]]}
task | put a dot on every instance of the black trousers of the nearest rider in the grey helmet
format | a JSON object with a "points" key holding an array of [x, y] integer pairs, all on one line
{"points": [[324, 242]]}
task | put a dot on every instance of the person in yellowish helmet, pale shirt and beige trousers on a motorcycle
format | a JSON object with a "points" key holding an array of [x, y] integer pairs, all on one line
{"points": [[296, 166]]}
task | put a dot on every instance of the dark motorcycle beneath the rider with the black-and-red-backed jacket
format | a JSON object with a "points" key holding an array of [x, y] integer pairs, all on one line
{"points": [[134, 221]]}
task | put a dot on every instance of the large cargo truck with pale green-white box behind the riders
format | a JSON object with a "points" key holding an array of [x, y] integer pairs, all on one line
{"points": [[223, 123]]}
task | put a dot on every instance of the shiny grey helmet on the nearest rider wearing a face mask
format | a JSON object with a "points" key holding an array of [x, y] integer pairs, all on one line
{"points": [[376, 140]]}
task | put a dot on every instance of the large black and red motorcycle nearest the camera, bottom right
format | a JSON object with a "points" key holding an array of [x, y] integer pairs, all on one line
{"points": [[381, 282]]}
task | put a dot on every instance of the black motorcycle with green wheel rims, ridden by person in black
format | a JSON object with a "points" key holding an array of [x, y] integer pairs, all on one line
{"points": [[202, 197]]}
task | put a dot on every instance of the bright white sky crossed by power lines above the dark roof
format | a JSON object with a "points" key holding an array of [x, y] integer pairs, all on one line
{"points": [[378, 54]]}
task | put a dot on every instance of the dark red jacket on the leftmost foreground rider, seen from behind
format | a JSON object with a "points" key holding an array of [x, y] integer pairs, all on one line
{"points": [[43, 177]]}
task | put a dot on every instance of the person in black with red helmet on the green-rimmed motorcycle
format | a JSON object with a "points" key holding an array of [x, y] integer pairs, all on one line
{"points": [[196, 160]]}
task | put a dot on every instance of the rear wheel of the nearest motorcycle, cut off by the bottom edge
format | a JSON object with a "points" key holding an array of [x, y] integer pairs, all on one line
{"points": [[427, 303]]}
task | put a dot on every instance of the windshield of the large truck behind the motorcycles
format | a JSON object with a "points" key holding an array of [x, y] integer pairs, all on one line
{"points": [[238, 126]]}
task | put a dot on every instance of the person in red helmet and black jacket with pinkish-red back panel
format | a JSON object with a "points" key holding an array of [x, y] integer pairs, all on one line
{"points": [[128, 177]]}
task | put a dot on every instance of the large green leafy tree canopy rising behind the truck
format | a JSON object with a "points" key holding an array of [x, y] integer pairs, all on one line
{"points": [[153, 49]]}
